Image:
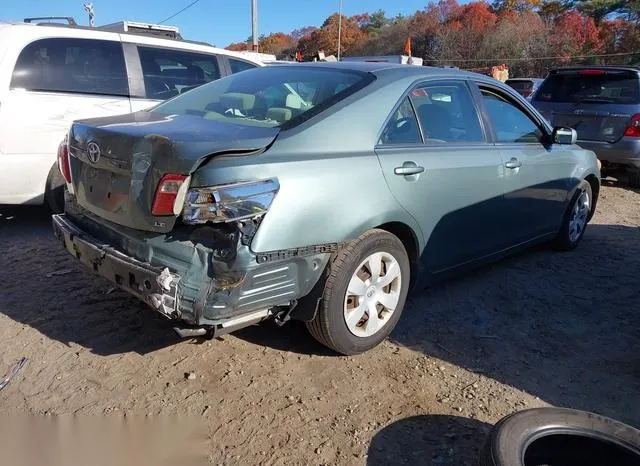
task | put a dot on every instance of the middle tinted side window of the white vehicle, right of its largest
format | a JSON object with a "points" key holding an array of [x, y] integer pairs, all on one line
{"points": [[168, 73]]}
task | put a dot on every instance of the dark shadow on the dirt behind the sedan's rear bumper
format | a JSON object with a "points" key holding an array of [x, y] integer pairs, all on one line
{"points": [[44, 288]]}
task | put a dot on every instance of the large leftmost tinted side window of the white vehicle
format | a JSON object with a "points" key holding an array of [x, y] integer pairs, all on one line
{"points": [[83, 66]]}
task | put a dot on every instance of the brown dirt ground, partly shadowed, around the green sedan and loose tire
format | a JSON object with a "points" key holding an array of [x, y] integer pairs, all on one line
{"points": [[542, 328]]}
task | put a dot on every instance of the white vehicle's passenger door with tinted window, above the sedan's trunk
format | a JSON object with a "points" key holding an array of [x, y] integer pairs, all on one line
{"points": [[167, 72]]}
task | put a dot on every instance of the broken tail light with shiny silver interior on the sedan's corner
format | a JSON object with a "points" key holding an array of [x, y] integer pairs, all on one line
{"points": [[228, 203]]}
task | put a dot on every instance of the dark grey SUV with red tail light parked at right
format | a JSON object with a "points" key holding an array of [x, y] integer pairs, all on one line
{"points": [[603, 105]]}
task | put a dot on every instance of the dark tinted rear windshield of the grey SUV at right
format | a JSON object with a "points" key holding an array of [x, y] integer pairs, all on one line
{"points": [[609, 87]]}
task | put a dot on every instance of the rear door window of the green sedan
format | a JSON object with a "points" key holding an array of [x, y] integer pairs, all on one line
{"points": [[446, 113]]}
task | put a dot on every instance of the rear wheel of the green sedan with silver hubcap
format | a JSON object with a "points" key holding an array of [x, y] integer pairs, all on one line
{"points": [[364, 294]]}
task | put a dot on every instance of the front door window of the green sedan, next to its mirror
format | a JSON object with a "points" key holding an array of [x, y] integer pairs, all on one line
{"points": [[509, 123]]}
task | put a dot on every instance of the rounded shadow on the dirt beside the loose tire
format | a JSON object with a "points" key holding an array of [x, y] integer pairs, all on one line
{"points": [[429, 440]]}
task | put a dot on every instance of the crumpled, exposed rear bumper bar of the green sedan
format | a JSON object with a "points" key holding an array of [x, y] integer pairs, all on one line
{"points": [[156, 286]]}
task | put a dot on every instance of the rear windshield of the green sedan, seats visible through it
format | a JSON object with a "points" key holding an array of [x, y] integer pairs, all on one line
{"points": [[268, 96]]}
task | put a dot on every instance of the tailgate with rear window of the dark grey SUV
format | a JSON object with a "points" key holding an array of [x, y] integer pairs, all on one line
{"points": [[597, 103]]}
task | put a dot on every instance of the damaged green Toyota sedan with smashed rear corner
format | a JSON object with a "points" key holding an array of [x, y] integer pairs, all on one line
{"points": [[317, 192]]}
